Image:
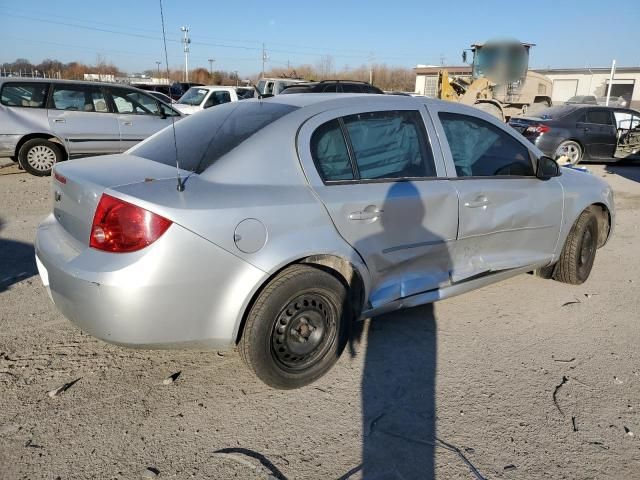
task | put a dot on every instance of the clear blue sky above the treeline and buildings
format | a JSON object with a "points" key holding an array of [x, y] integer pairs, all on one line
{"points": [[404, 33]]}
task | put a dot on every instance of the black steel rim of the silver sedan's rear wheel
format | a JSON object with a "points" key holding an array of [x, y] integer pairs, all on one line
{"points": [[304, 331]]}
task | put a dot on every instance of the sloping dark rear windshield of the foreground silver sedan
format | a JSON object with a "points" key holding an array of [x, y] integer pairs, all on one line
{"points": [[203, 138]]}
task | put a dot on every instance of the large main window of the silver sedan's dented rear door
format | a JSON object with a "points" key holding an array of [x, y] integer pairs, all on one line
{"points": [[390, 144]]}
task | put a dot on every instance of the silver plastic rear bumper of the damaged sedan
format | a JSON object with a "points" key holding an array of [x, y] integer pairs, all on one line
{"points": [[181, 291]]}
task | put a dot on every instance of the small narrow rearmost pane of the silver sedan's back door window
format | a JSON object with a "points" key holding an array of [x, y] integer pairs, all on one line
{"points": [[329, 152]]}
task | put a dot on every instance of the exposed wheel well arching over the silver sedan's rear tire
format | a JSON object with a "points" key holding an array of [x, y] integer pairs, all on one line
{"points": [[337, 266]]}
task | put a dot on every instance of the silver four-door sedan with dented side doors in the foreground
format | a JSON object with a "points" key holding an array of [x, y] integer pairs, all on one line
{"points": [[293, 216]]}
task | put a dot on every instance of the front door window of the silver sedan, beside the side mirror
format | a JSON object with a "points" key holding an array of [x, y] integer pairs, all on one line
{"points": [[480, 149]]}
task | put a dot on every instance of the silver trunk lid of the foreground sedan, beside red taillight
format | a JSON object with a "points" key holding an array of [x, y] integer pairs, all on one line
{"points": [[77, 186]]}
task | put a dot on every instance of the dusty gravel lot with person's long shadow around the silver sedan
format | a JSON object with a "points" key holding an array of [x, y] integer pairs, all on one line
{"points": [[463, 389]]}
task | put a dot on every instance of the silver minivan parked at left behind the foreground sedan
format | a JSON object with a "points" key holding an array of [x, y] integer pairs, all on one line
{"points": [[44, 121]]}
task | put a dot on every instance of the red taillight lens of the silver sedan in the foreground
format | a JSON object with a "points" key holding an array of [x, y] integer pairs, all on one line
{"points": [[121, 227]]}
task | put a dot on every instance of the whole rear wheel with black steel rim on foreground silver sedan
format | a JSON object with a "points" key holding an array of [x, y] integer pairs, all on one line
{"points": [[297, 327]]}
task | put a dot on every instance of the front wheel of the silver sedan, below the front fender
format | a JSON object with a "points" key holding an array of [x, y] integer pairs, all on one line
{"points": [[579, 251]]}
